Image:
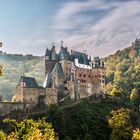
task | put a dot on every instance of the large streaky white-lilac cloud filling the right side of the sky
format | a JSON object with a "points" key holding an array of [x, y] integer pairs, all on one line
{"points": [[112, 30]]}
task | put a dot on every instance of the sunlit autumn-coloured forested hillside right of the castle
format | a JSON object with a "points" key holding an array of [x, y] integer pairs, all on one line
{"points": [[123, 71]]}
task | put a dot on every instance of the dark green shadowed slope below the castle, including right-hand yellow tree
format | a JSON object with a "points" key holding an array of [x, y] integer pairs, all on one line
{"points": [[87, 120]]}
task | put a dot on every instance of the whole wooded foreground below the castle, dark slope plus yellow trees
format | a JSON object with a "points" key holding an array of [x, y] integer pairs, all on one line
{"points": [[87, 120]]}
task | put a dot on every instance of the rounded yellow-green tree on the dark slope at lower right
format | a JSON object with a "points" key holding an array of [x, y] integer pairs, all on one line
{"points": [[119, 122]]}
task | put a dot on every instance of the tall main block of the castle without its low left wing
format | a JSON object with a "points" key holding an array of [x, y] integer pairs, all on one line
{"points": [[75, 74]]}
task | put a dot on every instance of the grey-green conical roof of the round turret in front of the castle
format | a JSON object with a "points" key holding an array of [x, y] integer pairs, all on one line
{"points": [[57, 70]]}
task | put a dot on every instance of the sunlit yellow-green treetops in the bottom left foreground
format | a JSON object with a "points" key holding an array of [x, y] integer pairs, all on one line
{"points": [[29, 129]]}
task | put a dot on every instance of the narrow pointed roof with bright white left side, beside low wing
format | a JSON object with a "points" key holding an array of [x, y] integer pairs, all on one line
{"points": [[48, 81]]}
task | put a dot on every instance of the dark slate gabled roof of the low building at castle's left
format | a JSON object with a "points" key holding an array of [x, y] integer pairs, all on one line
{"points": [[28, 81]]}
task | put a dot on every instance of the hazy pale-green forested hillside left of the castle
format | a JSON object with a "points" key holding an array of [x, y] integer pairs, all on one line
{"points": [[15, 65]]}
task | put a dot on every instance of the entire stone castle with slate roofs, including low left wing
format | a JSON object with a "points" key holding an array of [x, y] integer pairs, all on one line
{"points": [[68, 74]]}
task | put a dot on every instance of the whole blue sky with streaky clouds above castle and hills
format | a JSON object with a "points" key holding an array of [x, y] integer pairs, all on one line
{"points": [[100, 27]]}
